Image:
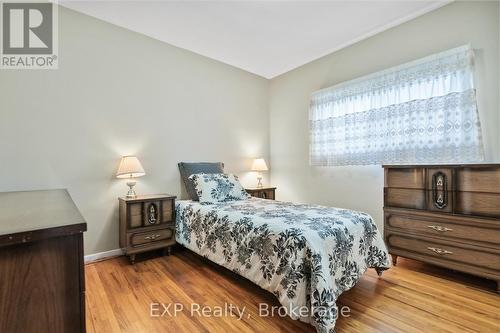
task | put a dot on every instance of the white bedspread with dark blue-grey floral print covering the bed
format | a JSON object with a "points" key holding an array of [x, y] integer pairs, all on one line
{"points": [[306, 255]]}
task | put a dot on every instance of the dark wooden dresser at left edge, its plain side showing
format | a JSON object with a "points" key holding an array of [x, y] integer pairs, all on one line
{"points": [[42, 282]]}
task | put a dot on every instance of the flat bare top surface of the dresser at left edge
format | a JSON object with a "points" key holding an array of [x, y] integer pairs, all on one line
{"points": [[38, 210]]}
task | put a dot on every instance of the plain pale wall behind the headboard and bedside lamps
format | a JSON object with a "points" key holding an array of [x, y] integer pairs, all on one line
{"points": [[117, 92]]}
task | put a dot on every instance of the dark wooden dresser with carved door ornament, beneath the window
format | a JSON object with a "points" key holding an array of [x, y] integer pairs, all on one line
{"points": [[445, 215]]}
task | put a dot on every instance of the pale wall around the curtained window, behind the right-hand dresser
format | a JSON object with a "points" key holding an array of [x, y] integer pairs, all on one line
{"points": [[361, 187]]}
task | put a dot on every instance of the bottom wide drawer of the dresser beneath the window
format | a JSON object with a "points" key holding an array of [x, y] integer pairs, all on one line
{"points": [[442, 251]]}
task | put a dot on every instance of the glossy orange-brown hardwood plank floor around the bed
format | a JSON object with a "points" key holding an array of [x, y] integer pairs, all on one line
{"points": [[411, 297]]}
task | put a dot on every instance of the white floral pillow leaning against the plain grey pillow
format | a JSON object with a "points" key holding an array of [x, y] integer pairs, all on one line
{"points": [[218, 187]]}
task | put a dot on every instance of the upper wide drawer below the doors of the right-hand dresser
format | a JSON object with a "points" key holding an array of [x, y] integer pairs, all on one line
{"points": [[475, 230]]}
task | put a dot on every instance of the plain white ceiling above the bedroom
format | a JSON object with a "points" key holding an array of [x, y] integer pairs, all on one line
{"points": [[266, 38]]}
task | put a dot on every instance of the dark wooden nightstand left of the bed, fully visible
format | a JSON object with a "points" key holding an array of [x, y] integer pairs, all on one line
{"points": [[147, 223]]}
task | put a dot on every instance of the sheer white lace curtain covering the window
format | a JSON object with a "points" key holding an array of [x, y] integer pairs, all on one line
{"points": [[420, 112]]}
